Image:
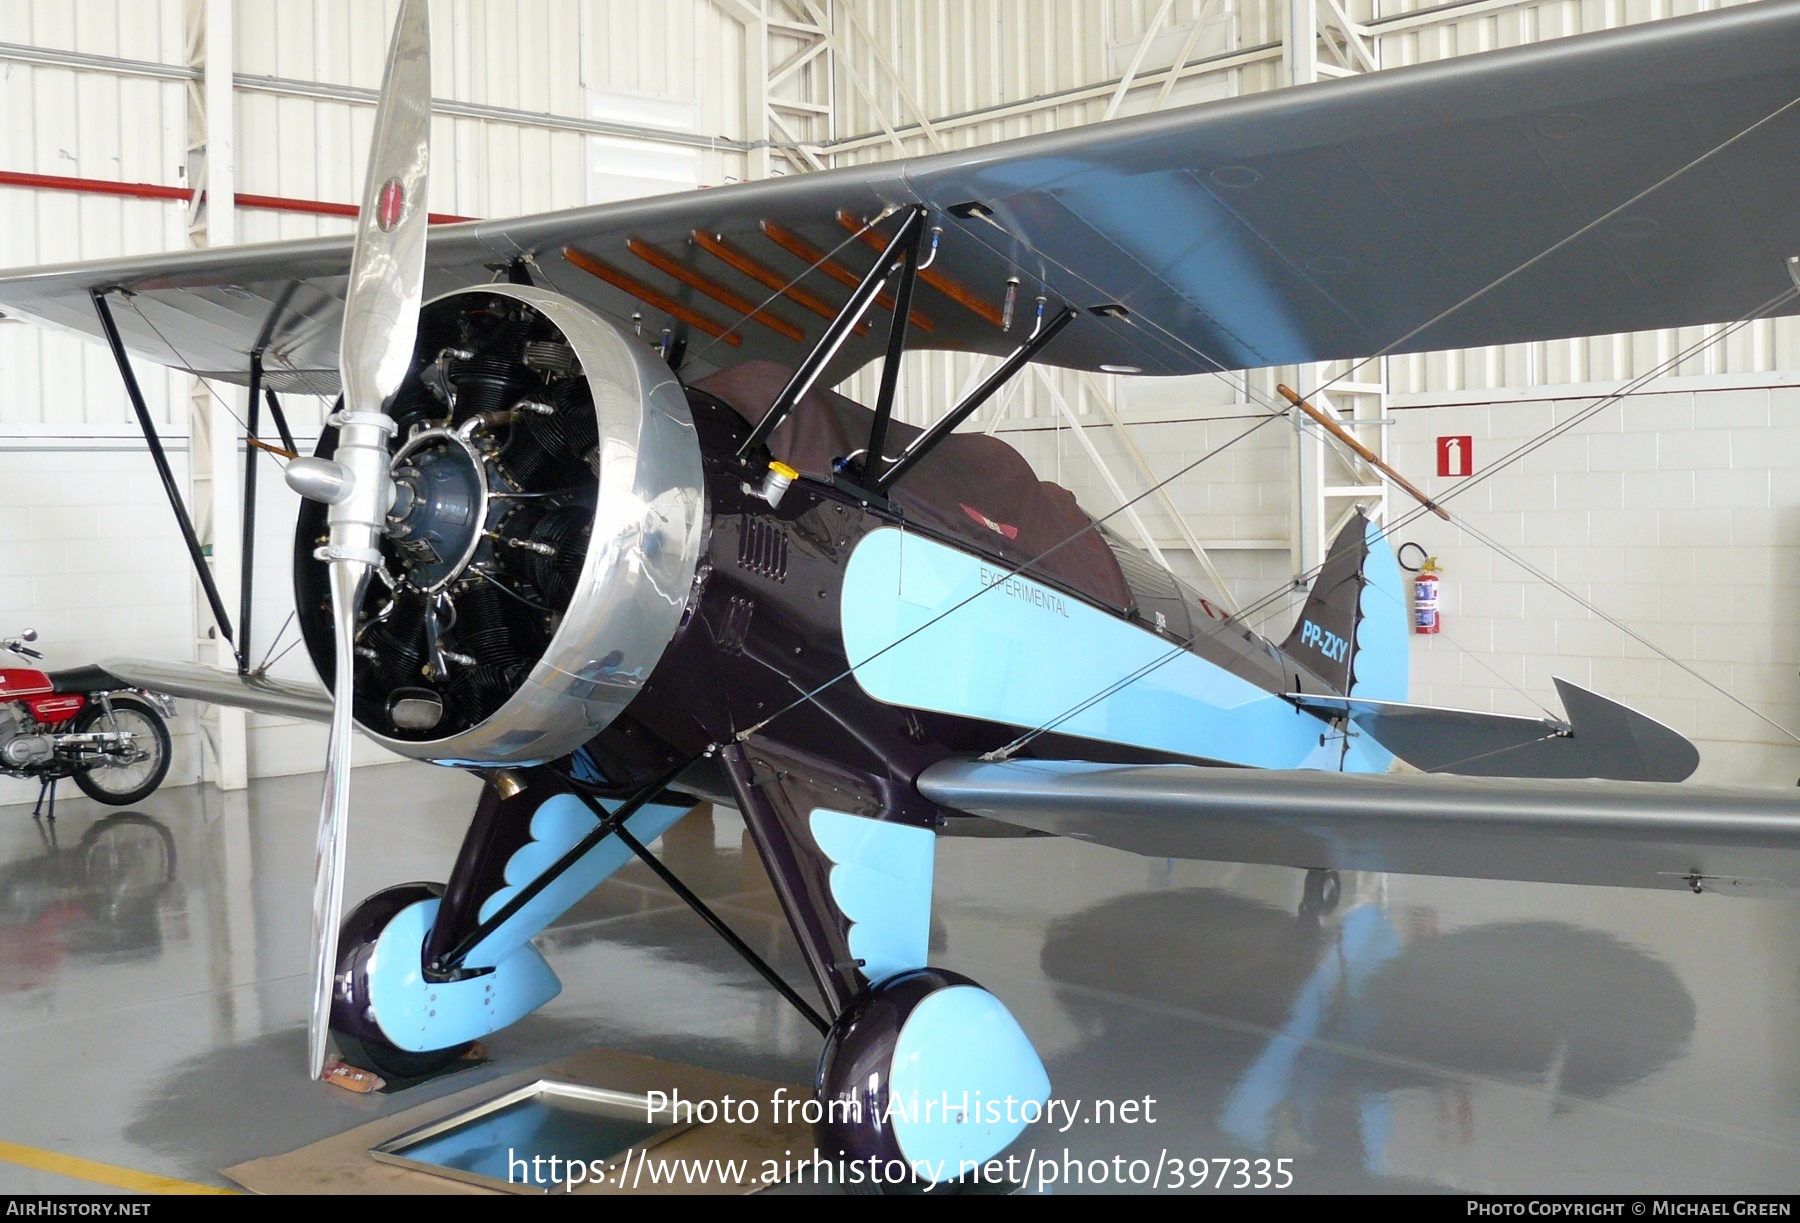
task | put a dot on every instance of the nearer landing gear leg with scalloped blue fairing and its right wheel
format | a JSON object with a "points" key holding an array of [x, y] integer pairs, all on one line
{"points": [[906, 1038]]}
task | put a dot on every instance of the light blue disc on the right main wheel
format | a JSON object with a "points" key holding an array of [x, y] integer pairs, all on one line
{"points": [[962, 1074]]}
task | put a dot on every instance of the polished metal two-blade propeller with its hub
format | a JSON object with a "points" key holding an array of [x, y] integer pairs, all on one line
{"points": [[381, 329]]}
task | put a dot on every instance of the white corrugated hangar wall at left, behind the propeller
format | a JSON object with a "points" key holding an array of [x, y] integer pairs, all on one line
{"points": [[89, 552]]}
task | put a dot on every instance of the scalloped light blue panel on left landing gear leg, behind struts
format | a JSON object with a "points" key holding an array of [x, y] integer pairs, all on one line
{"points": [[555, 829]]}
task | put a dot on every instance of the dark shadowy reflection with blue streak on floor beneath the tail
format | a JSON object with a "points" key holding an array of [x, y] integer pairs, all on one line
{"points": [[1358, 1019]]}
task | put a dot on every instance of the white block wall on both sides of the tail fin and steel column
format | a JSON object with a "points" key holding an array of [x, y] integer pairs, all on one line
{"points": [[1677, 512]]}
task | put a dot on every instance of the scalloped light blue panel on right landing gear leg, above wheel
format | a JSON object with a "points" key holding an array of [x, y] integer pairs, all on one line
{"points": [[881, 880]]}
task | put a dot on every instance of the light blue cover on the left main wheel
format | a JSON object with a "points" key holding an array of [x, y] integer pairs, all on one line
{"points": [[418, 1015]]}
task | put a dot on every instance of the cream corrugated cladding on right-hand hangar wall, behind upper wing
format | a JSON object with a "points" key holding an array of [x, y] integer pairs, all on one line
{"points": [[996, 69]]}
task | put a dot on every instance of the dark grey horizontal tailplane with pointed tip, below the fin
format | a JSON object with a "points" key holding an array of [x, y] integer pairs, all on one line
{"points": [[1601, 739]]}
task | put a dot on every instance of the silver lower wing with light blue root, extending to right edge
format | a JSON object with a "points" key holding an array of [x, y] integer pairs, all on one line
{"points": [[1635, 835]]}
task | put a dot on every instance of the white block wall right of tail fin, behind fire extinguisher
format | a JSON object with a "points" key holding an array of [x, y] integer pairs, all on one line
{"points": [[1675, 512]]}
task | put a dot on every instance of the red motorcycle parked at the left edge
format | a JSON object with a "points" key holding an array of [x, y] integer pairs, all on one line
{"points": [[80, 723]]}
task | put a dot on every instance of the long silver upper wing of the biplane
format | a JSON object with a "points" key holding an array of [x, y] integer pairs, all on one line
{"points": [[1452, 204]]}
